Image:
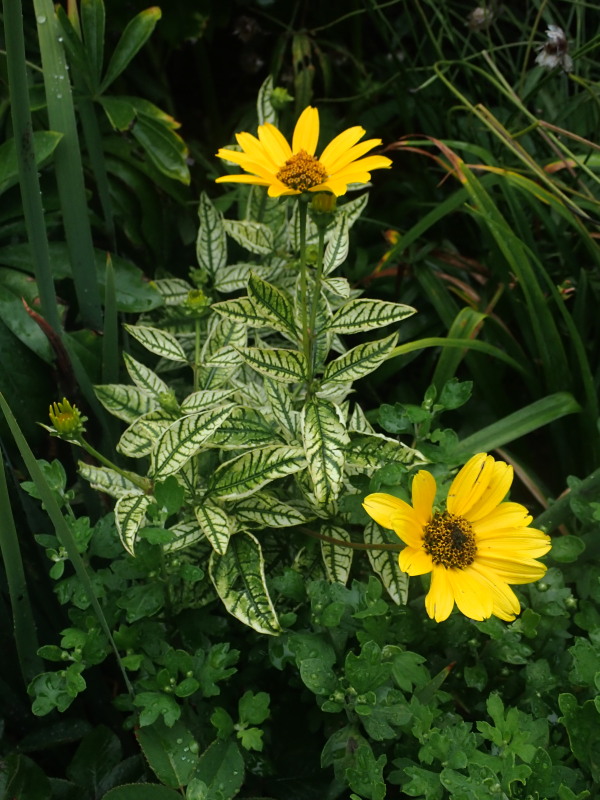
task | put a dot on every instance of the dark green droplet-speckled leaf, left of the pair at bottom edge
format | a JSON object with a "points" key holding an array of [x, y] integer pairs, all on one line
{"points": [[170, 751]]}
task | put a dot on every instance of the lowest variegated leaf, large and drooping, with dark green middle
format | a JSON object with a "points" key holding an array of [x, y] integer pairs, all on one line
{"points": [[239, 578]]}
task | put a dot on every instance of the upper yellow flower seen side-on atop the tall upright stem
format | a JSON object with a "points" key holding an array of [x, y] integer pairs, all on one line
{"points": [[270, 161]]}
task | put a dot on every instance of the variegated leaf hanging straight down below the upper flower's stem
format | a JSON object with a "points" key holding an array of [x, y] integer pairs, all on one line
{"points": [[325, 441]]}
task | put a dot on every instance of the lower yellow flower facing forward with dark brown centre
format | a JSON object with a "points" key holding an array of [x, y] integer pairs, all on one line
{"points": [[474, 549]]}
